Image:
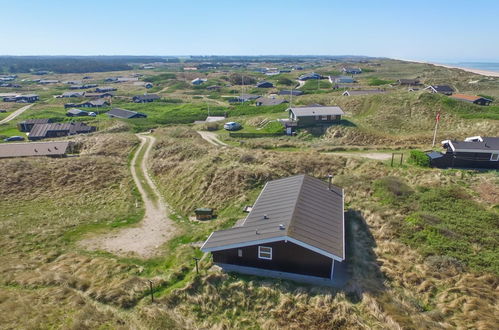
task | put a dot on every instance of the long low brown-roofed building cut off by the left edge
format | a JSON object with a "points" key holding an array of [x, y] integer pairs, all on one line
{"points": [[48, 149]]}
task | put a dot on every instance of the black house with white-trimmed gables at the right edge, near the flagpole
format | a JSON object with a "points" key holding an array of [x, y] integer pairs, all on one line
{"points": [[473, 152]]}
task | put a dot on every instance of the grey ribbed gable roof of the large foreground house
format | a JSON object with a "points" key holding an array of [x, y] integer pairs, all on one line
{"points": [[308, 211]]}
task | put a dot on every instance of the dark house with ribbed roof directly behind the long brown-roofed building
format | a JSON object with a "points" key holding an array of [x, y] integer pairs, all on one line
{"points": [[53, 130]]}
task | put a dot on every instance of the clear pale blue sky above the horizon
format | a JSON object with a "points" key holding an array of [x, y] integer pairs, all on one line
{"points": [[438, 30]]}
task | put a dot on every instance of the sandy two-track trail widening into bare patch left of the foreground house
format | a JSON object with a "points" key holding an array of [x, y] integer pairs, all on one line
{"points": [[155, 228]]}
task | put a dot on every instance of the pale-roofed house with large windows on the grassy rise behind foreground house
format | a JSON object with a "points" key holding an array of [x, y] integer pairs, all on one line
{"points": [[315, 115]]}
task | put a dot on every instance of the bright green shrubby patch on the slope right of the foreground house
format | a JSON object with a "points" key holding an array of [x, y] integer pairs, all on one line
{"points": [[444, 221]]}
